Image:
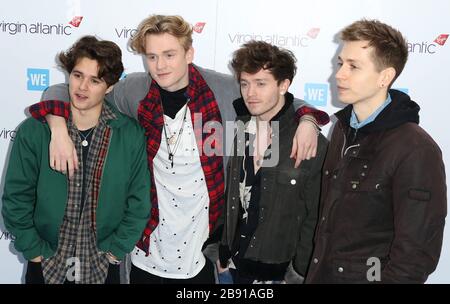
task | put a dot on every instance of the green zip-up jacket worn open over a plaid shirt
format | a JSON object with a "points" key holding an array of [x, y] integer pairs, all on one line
{"points": [[35, 196]]}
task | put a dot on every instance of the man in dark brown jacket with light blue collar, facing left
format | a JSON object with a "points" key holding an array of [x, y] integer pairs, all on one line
{"points": [[383, 192]]}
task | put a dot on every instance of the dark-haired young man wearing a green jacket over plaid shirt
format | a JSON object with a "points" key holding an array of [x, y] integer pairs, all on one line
{"points": [[77, 230]]}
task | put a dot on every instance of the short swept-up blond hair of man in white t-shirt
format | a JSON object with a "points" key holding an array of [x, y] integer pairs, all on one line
{"points": [[160, 24]]}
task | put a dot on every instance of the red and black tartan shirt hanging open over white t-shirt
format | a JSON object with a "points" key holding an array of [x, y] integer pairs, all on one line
{"points": [[150, 115]]}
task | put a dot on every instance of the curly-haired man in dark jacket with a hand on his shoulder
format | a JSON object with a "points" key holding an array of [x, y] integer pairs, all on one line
{"points": [[271, 208]]}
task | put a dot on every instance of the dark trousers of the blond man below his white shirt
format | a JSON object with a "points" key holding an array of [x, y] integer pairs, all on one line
{"points": [[205, 276]]}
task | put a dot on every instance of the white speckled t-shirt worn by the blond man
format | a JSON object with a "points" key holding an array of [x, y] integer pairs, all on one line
{"points": [[183, 203]]}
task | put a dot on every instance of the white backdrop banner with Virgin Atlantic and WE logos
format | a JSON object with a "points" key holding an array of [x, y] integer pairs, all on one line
{"points": [[33, 32]]}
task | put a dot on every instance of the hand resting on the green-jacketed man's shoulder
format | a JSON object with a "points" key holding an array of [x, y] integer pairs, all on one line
{"points": [[63, 156]]}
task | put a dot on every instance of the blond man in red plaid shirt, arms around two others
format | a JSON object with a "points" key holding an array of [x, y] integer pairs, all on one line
{"points": [[188, 182]]}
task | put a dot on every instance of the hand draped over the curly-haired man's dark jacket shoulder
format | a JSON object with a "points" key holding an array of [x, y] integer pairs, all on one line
{"points": [[304, 144]]}
